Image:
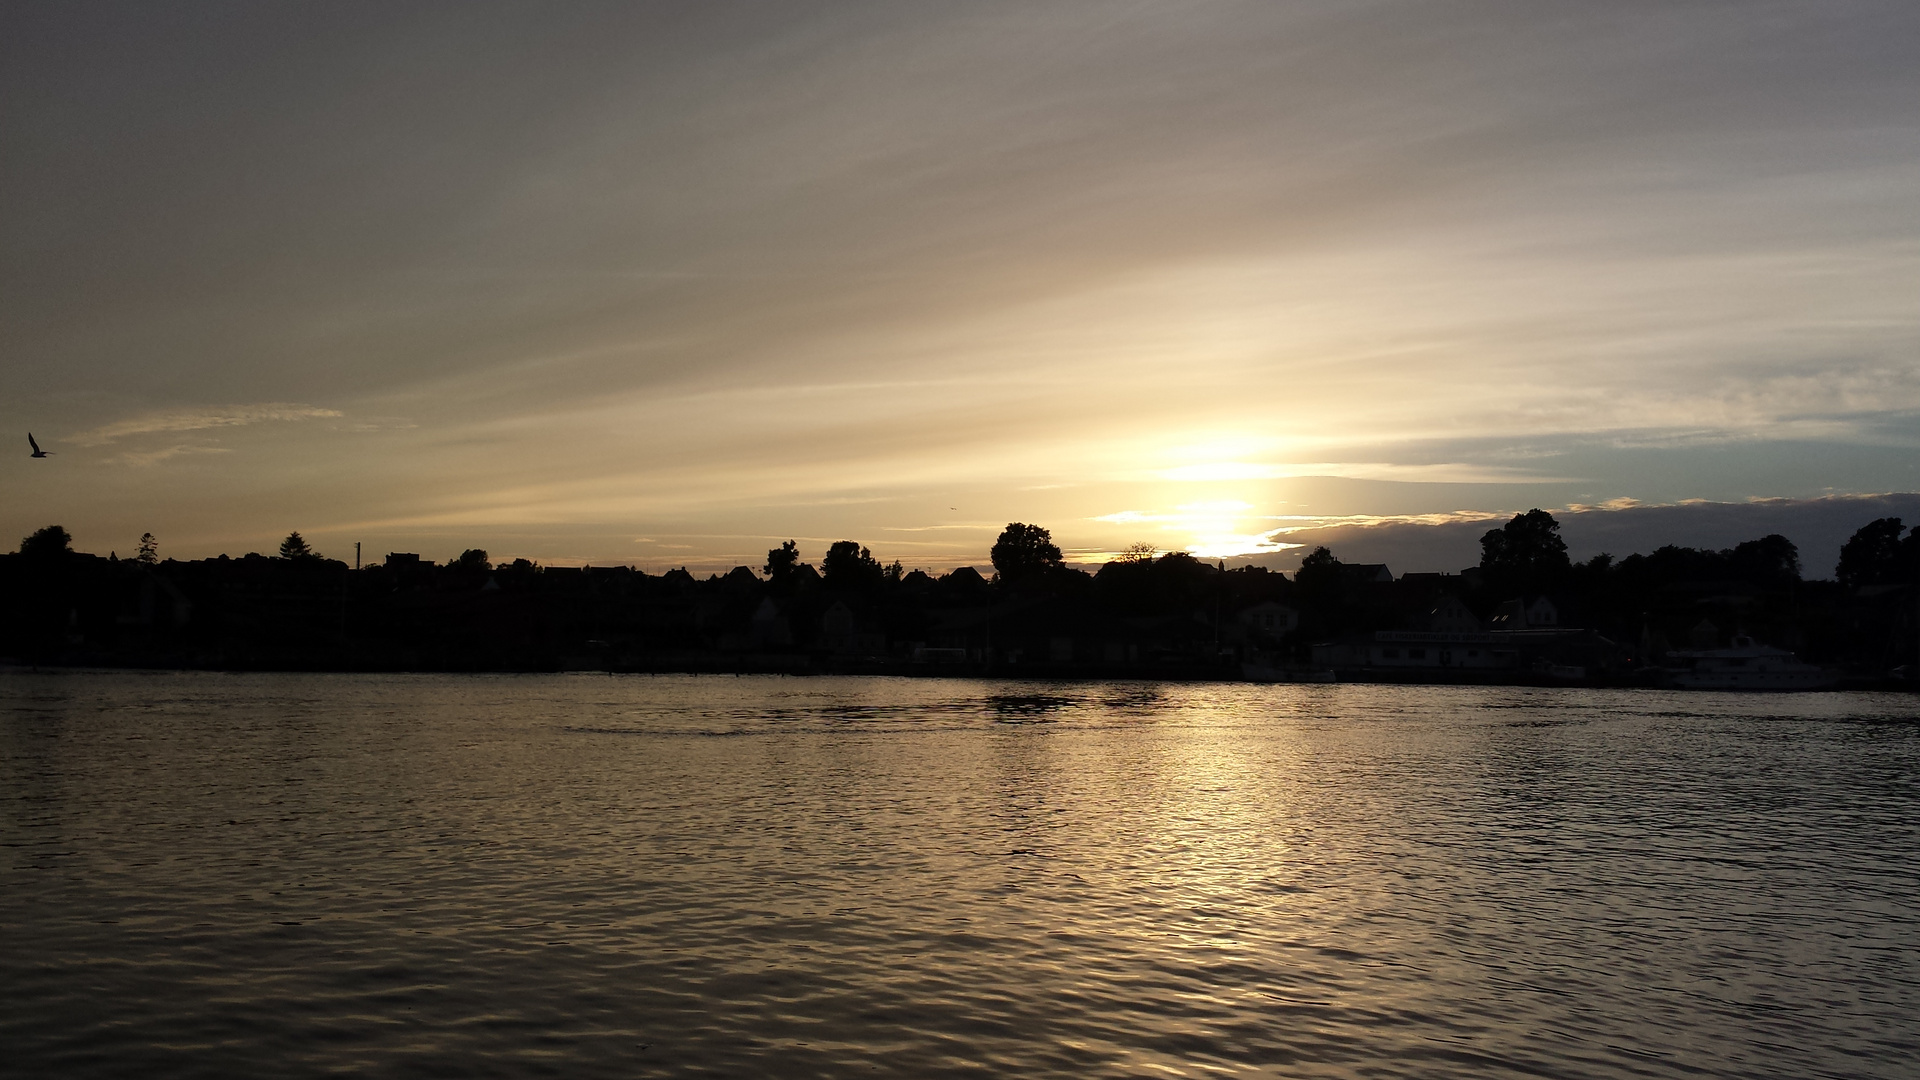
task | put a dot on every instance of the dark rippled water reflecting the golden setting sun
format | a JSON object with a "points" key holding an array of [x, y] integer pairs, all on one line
{"points": [[247, 875]]}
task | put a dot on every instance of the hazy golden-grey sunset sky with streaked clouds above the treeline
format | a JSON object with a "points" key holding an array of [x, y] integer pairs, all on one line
{"points": [[671, 283]]}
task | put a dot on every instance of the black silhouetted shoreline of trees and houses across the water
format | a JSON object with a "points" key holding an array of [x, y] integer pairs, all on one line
{"points": [[1141, 616]]}
